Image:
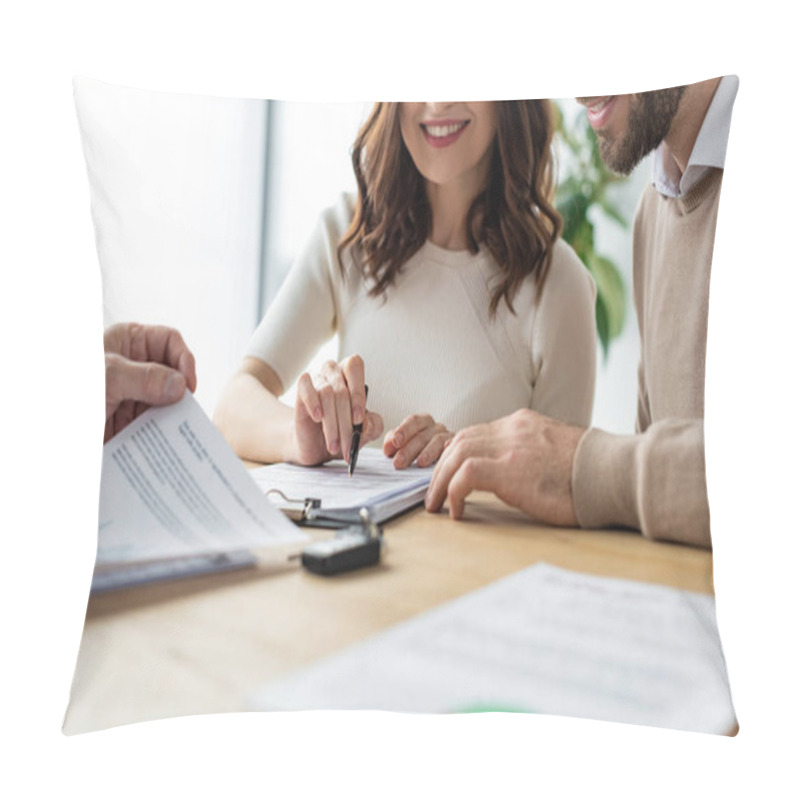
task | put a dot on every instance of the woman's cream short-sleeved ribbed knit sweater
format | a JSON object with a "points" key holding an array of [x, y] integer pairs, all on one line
{"points": [[430, 345]]}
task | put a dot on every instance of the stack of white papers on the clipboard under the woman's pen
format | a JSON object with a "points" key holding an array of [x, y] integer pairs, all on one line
{"points": [[375, 484]]}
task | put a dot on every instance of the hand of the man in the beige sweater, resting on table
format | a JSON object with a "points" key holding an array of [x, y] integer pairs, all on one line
{"points": [[525, 459]]}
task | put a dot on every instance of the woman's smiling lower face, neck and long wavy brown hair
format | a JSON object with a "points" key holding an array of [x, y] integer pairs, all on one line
{"points": [[488, 184]]}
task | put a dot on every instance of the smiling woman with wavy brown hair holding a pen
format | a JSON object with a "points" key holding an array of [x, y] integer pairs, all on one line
{"points": [[448, 286]]}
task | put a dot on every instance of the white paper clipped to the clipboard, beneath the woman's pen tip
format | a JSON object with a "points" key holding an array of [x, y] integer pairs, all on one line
{"points": [[374, 482]]}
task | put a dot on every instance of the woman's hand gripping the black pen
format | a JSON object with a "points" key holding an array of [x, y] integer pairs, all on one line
{"points": [[327, 407]]}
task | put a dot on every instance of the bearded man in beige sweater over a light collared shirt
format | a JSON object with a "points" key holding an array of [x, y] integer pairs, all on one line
{"points": [[654, 480]]}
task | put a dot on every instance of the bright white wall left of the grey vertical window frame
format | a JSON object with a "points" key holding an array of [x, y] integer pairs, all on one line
{"points": [[177, 203]]}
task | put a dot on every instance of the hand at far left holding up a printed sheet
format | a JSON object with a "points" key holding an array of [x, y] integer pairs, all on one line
{"points": [[146, 365]]}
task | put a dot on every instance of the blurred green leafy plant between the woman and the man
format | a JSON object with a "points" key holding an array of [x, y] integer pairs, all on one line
{"points": [[583, 186]]}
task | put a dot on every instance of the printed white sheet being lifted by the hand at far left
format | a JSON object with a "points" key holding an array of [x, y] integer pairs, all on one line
{"points": [[171, 486]]}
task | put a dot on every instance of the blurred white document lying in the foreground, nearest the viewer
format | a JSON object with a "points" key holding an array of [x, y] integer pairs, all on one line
{"points": [[543, 640]]}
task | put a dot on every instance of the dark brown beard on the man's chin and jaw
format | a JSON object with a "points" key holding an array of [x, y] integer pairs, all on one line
{"points": [[649, 120]]}
